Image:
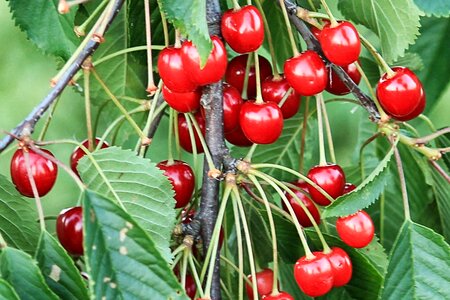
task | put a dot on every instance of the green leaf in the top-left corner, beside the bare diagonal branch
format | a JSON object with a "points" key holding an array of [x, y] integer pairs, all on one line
{"points": [[45, 27]]}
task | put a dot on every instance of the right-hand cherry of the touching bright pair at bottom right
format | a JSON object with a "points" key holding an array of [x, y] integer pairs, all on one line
{"points": [[342, 266]]}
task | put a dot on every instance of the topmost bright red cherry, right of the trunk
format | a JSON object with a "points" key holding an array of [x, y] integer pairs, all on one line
{"points": [[243, 29]]}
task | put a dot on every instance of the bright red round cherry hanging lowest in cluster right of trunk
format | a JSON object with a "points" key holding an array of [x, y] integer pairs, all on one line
{"points": [[262, 123]]}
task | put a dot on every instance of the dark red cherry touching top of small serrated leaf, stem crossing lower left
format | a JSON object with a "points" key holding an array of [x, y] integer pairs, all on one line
{"points": [[330, 178]]}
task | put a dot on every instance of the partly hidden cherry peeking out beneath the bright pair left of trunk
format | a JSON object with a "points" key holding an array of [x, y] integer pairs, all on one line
{"points": [[182, 101]]}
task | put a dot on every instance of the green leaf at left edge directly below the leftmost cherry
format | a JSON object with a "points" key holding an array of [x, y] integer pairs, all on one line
{"points": [[18, 216]]}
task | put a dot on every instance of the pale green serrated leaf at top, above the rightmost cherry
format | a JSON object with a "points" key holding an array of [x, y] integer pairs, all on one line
{"points": [[396, 22]]}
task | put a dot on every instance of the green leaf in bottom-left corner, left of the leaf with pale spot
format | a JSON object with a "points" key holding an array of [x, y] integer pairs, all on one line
{"points": [[22, 273]]}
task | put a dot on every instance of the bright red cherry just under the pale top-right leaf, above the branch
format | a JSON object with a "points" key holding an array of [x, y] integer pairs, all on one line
{"points": [[340, 44]]}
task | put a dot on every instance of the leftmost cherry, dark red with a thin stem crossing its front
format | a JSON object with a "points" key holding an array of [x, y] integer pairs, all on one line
{"points": [[44, 172]]}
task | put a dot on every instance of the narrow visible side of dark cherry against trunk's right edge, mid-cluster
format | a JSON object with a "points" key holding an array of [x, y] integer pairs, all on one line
{"points": [[232, 103]]}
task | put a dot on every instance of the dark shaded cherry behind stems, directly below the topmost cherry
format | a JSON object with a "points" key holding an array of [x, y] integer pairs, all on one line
{"points": [[236, 73]]}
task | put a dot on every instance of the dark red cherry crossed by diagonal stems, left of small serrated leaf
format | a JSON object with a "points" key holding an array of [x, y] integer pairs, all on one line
{"points": [[299, 212]]}
